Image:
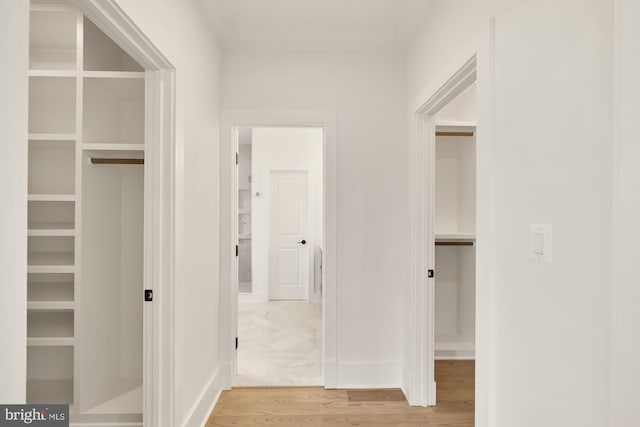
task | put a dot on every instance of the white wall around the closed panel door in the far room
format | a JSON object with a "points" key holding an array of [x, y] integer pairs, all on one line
{"points": [[284, 149]]}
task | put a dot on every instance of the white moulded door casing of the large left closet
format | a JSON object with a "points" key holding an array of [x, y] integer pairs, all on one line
{"points": [[159, 205]]}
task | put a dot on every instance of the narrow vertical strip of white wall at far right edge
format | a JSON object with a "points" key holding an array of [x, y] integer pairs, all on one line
{"points": [[625, 339]]}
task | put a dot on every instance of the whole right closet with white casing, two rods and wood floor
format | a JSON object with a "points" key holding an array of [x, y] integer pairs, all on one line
{"points": [[441, 339]]}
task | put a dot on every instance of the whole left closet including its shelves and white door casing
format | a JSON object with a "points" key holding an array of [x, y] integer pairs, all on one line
{"points": [[100, 103]]}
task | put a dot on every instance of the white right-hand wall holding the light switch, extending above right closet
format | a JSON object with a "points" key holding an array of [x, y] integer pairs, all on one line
{"points": [[543, 330]]}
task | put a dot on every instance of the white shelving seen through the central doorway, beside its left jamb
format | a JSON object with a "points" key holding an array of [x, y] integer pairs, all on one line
{"points": [[244, 212]]}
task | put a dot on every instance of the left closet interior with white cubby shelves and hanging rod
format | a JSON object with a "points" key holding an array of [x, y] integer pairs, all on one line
{"points": [[85, 220]]}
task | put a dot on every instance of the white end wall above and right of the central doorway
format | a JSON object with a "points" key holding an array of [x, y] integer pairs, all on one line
{"points": [[367, 92]]}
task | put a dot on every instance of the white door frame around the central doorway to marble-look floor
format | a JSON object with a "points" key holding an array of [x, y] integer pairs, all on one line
{"points": [[230, 120]]}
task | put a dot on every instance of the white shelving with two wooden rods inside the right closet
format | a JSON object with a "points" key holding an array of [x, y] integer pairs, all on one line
{"points": [[455, 218]]}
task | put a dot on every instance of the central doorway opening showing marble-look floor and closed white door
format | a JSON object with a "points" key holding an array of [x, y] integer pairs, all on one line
{"points": [[280, 231]]}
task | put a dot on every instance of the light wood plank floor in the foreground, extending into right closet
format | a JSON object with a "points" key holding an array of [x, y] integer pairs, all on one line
{"points": [[315, 406]]}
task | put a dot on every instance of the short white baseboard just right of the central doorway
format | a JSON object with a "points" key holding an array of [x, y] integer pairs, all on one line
{"points": [[369, 375]]}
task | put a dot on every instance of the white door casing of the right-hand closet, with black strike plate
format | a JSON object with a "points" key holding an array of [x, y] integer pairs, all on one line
{"points": [[419, 381]]}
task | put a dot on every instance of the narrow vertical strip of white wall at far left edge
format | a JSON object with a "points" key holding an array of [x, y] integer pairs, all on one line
{"points": [[14, 42]]}
